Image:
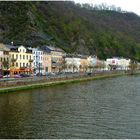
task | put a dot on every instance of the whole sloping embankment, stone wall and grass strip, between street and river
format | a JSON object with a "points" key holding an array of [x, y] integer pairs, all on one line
{"points": [[10, 85]]}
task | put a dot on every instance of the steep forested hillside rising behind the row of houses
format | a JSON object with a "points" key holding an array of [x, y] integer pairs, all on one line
{"points": [[75, 28]]}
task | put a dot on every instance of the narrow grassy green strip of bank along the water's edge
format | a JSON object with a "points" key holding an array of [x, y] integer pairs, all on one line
{"points": [[47, 83]]}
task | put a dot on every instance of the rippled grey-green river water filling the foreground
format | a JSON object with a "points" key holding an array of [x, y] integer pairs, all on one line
{"points": [[108, 108]]}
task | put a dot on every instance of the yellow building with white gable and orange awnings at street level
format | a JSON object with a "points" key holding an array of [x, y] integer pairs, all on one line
{"points": [[21, 59]]}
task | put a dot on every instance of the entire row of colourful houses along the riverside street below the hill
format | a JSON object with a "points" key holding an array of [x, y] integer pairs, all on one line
{"points": [[20, 59]]}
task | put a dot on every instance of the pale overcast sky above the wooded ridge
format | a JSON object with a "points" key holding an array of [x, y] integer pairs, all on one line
{"points": [[126, 5]]}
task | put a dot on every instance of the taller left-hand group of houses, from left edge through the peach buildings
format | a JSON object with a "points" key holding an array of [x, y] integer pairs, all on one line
{"points": [[19, 59]]}
